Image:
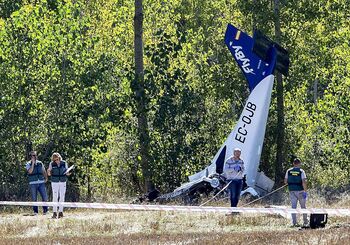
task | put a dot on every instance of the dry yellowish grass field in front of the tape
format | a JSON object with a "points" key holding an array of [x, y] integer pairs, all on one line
{"points": [[82, 226]]}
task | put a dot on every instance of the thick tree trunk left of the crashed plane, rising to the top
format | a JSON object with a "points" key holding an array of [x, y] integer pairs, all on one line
{"points": [[139, 92]]}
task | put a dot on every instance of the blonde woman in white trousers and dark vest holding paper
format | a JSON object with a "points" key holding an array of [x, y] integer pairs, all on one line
{"points": [[58, 172]]}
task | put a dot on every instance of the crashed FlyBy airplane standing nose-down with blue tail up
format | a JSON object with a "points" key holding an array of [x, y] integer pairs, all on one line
{"points": [[258, 58]]}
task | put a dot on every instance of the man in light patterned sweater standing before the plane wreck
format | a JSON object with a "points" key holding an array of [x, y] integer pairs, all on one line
{"points": [[233, 171]]}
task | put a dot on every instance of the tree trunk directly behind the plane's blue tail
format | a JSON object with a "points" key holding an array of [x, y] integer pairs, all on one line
{"points": [[280, 106]]}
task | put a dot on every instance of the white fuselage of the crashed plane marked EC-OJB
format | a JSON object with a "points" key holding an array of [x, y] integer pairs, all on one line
{"points": [[248, 134]]}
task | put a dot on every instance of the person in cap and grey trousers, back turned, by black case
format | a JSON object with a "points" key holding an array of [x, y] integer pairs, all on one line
{"points": [[296, 179]]}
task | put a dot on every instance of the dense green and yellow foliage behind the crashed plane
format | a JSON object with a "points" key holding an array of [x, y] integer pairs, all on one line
{"points": [[67, 73]]}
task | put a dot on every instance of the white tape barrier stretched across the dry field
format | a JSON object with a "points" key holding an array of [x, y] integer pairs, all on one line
{"points": [[274, 210]]}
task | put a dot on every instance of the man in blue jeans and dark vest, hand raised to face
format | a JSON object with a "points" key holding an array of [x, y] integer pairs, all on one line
{"points": [[37, 178]]}
